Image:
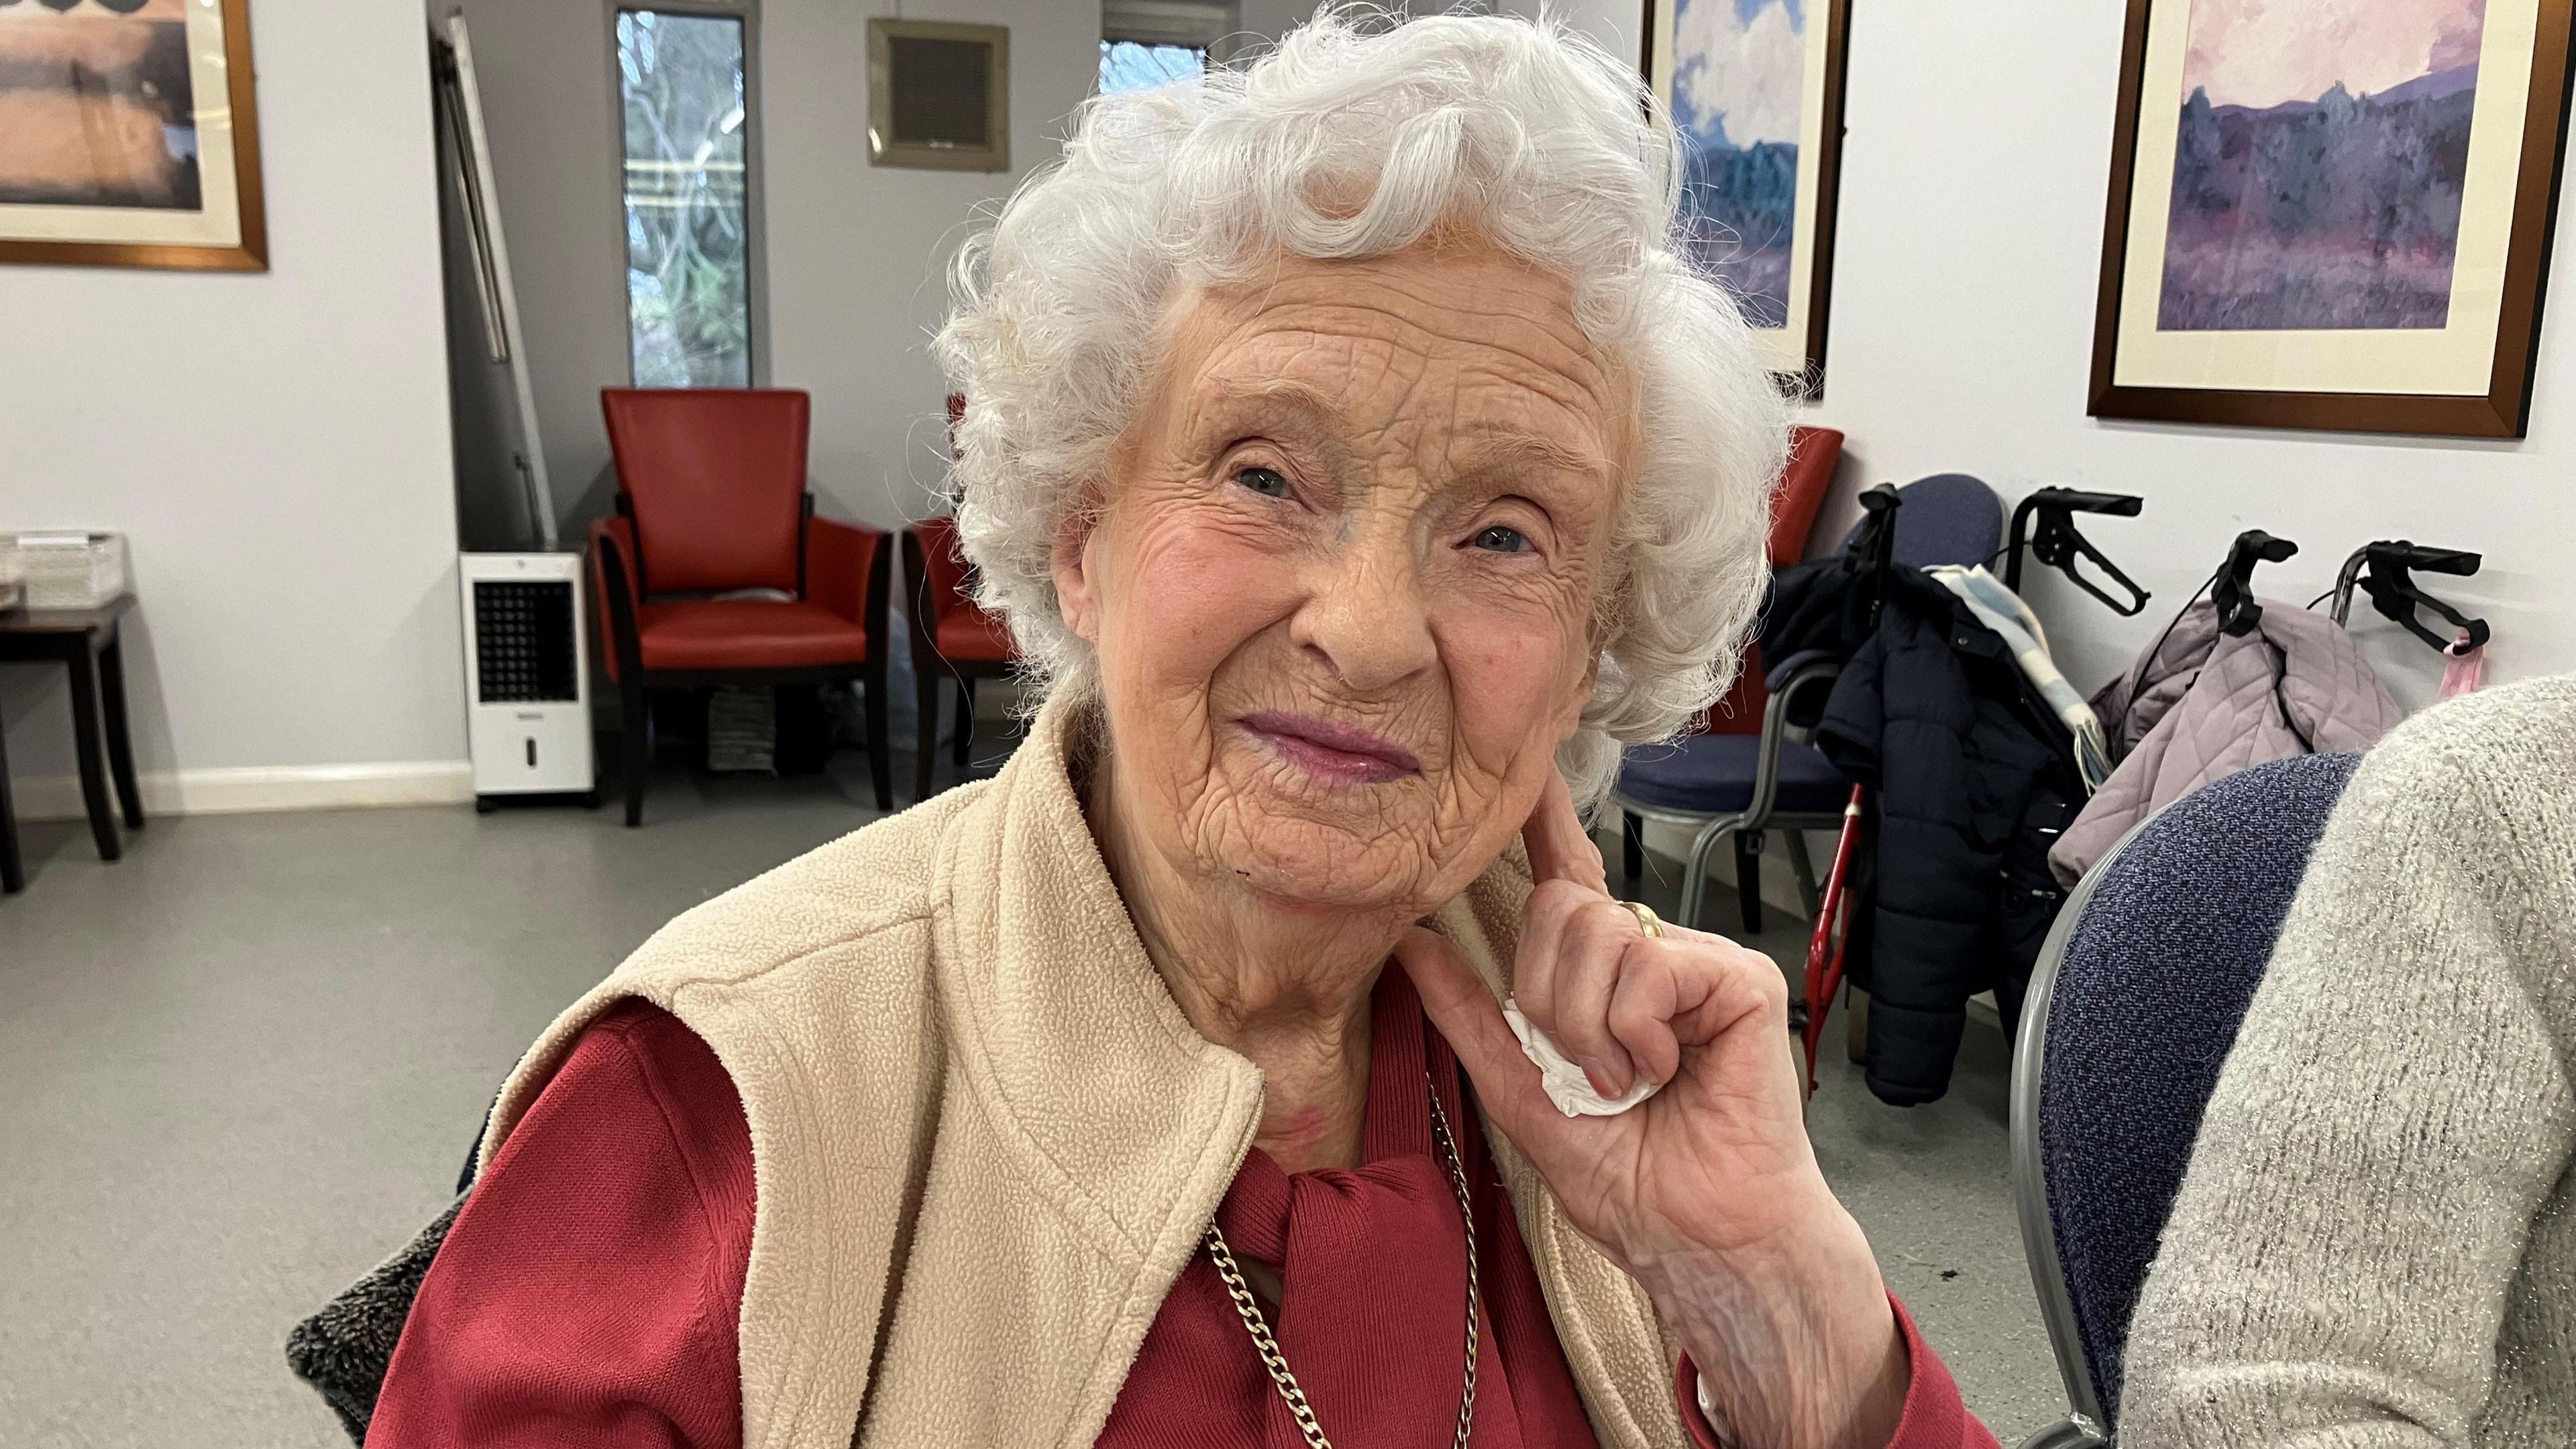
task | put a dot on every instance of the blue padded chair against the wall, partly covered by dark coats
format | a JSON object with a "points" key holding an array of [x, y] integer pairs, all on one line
{"points": [[1745, 785]]}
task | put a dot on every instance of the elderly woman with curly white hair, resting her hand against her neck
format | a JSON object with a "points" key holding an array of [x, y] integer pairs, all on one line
{"points": [[1359, 465]]}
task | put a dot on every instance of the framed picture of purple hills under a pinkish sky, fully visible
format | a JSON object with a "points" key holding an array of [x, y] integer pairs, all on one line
{"points": [[2333, 215]]}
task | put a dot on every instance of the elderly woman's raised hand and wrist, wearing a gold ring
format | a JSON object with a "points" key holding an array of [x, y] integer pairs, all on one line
{"points": [[1707, 1192]]}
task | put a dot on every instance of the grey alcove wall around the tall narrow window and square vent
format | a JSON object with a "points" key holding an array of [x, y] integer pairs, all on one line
{"points": [[857, 254]]}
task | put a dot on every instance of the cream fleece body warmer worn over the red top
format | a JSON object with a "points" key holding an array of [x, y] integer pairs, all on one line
{"points": [[985, 1141]]}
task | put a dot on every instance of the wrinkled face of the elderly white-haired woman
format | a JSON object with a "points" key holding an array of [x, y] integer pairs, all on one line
{"points": [[1346, 571]]}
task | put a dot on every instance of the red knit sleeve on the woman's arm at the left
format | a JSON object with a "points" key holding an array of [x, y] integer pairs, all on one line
{"points": [[591, 1288]]}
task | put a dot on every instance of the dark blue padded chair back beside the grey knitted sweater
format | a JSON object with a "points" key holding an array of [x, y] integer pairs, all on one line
{"points": [[2134, 1007]]}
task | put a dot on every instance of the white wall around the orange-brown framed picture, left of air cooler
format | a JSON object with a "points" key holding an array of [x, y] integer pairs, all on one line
{"points": [[274, 445]]}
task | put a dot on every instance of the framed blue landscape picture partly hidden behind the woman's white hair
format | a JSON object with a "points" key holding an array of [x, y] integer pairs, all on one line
{"points": [[1756, 92]]}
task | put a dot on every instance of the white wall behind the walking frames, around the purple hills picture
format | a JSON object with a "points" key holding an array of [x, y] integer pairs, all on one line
{"points": [[1967, 257]]}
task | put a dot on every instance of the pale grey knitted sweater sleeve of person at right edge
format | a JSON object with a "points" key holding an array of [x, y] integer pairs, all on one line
{"points": [[2374, 1247]]}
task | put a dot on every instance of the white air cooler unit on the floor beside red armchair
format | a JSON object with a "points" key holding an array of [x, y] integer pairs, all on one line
{"points": [[527, 679]]}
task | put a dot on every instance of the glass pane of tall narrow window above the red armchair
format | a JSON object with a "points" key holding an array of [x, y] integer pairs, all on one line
{"points": [[689, 290]]}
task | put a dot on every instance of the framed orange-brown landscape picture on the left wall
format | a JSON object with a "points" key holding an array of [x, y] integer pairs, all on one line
{"points": [[130, 135]]}
